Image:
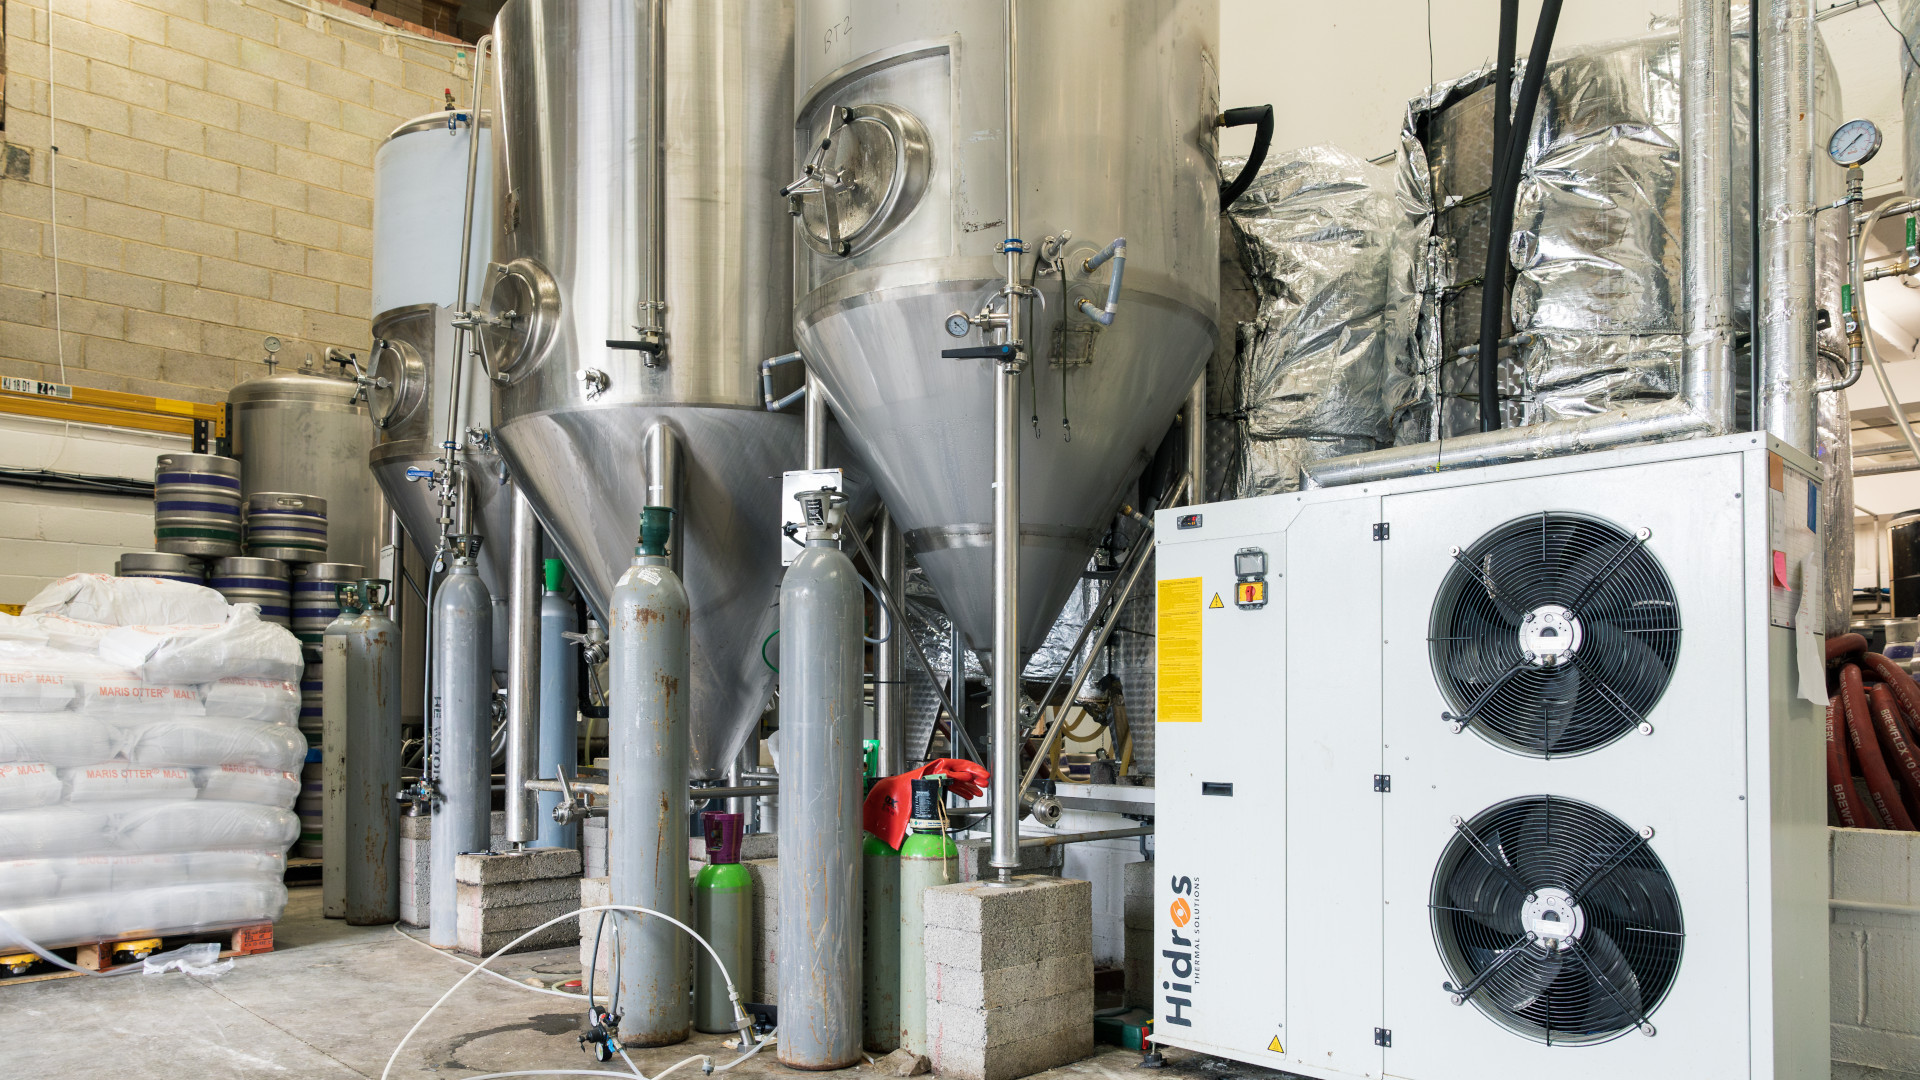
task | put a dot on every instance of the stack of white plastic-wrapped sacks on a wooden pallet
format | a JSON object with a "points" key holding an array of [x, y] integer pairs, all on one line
{"points": [[149, 762]]}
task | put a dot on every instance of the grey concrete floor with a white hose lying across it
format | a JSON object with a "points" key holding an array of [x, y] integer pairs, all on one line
{"points": [[331, 1002]]}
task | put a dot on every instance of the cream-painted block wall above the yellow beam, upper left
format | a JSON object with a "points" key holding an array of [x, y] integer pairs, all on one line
{"points": [[216, 184]]}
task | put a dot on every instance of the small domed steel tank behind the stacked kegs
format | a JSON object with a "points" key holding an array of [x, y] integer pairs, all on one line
{"points": [[310, 433]]}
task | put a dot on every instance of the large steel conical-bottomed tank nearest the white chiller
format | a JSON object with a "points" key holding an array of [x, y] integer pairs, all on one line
{"points": [[1113, 145]]}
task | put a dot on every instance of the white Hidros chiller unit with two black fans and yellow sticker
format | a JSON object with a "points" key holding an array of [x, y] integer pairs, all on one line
{"points": [[1499, 773]]}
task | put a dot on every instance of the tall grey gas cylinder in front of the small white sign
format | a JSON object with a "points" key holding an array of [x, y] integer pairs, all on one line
{"points": [[823, 668]]}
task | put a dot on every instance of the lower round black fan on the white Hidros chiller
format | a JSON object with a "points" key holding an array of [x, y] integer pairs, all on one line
{"points": [[1556, 920]]}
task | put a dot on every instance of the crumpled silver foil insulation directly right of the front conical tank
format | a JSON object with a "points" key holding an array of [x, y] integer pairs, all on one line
{"points": [[1318, 239]]}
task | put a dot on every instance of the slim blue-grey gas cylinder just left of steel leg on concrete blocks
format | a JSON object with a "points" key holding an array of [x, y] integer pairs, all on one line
{"points": [[462, 733]]}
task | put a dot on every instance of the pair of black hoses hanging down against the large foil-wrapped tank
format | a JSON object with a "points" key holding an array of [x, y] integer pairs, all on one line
{"points": [[1510, 157]]}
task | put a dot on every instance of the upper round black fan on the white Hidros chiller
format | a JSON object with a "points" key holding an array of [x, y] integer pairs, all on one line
{"points": [[1554, 635]]}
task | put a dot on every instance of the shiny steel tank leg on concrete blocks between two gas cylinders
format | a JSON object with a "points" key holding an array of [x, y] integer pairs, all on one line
{"points": [[523, 672]]}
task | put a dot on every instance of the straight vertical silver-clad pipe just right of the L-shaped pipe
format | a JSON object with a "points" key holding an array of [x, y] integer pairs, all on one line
{"points": [[1785, 114]]}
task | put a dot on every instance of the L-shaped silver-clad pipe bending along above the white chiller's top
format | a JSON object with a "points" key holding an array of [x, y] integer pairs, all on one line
{"points": [[1706, 406]]}
